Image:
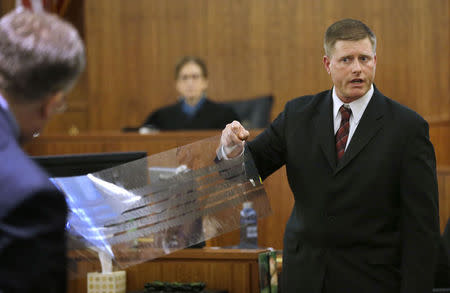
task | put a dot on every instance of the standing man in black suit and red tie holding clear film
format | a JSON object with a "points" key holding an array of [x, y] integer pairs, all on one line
{"points": [[362, 171]]}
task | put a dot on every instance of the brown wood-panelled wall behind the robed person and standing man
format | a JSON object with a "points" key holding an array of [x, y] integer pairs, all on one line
{"points": [[254, 47]]}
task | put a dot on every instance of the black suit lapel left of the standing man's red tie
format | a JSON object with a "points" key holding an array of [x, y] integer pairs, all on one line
{"points": [[324, 129]]}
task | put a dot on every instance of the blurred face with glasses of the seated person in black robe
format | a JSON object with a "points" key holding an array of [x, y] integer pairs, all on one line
{"points": [[191, 83]]}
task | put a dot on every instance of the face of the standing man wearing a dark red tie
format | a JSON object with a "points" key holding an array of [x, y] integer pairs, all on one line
{"points": [[352, 68]]}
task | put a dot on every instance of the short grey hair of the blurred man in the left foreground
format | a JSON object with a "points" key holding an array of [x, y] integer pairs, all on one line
{"points": [[40, 54]]}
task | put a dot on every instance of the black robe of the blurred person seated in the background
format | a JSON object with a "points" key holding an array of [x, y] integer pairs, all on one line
{"points": [[210, 116]]}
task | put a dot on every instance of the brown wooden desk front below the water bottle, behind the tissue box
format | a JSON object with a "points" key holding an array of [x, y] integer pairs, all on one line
{"points": [[234, 270]]}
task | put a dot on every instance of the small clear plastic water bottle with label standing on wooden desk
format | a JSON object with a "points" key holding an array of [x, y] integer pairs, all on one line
{"points": [[249, 227]]}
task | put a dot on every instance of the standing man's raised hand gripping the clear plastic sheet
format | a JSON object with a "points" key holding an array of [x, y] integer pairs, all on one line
{"points": [[233, 137]]}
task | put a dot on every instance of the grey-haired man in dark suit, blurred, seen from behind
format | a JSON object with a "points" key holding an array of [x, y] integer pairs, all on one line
{"points": [[40, 58]]}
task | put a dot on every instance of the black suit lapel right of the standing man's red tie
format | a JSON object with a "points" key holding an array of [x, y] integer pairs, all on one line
{"points": [[371, 122]]}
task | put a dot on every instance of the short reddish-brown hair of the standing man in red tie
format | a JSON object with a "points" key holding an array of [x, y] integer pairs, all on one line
{"points": [[347, 30]]}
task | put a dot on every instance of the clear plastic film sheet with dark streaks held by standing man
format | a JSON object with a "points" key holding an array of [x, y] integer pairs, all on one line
{"points": [[150, 207]]}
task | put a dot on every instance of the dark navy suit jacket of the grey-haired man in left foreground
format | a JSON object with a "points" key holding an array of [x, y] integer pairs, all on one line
{"points": [[32, 221]]}
